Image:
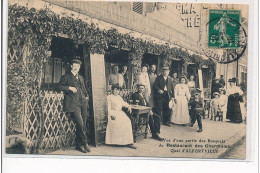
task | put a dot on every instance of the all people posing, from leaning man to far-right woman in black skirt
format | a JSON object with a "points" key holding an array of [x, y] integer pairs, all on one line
{"points": [[159, 92]]}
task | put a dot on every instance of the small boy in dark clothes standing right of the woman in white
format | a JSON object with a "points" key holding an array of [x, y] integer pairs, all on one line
{"points": [[197, 109]]}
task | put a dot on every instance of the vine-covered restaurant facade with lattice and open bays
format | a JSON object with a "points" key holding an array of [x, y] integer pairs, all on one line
{"points": [[43, 37]]}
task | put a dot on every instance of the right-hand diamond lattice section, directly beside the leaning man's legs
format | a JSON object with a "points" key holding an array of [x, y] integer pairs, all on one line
{"points": [[59, 130]]}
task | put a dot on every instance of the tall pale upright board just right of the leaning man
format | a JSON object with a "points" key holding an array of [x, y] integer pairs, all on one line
{"points": [[99, 96]]}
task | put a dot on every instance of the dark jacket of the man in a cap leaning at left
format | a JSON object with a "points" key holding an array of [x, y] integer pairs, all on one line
{"points": [[72, 101]]}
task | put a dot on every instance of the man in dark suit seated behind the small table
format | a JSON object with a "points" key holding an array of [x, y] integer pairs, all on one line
{"points": [[154, 119]]}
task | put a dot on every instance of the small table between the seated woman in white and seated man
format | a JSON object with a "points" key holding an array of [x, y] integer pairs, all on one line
{"points": [[140, 119]]}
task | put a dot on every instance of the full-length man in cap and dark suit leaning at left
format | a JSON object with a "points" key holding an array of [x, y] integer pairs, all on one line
{"points": [[75, 102]]}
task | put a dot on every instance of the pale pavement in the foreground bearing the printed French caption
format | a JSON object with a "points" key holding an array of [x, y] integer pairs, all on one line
{"points": [[180, 141]]}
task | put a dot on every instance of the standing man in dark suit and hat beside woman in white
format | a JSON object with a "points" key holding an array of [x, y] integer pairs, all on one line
{"points": [[163, 88]]}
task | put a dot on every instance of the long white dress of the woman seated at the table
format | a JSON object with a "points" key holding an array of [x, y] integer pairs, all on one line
{"points": [[119, 131]]}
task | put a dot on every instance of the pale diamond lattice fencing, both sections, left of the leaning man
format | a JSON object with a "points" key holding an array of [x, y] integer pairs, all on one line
{"points": [[58, 128]]}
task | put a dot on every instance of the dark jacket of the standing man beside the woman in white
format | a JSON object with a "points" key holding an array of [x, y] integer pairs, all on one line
{"points": [[160, 83]]}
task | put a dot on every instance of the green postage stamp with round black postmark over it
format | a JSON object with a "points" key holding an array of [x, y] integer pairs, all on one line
{"points": [[226, 33]]}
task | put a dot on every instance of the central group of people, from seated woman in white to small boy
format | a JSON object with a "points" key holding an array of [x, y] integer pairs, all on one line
{"points": [[156, 92]]}
